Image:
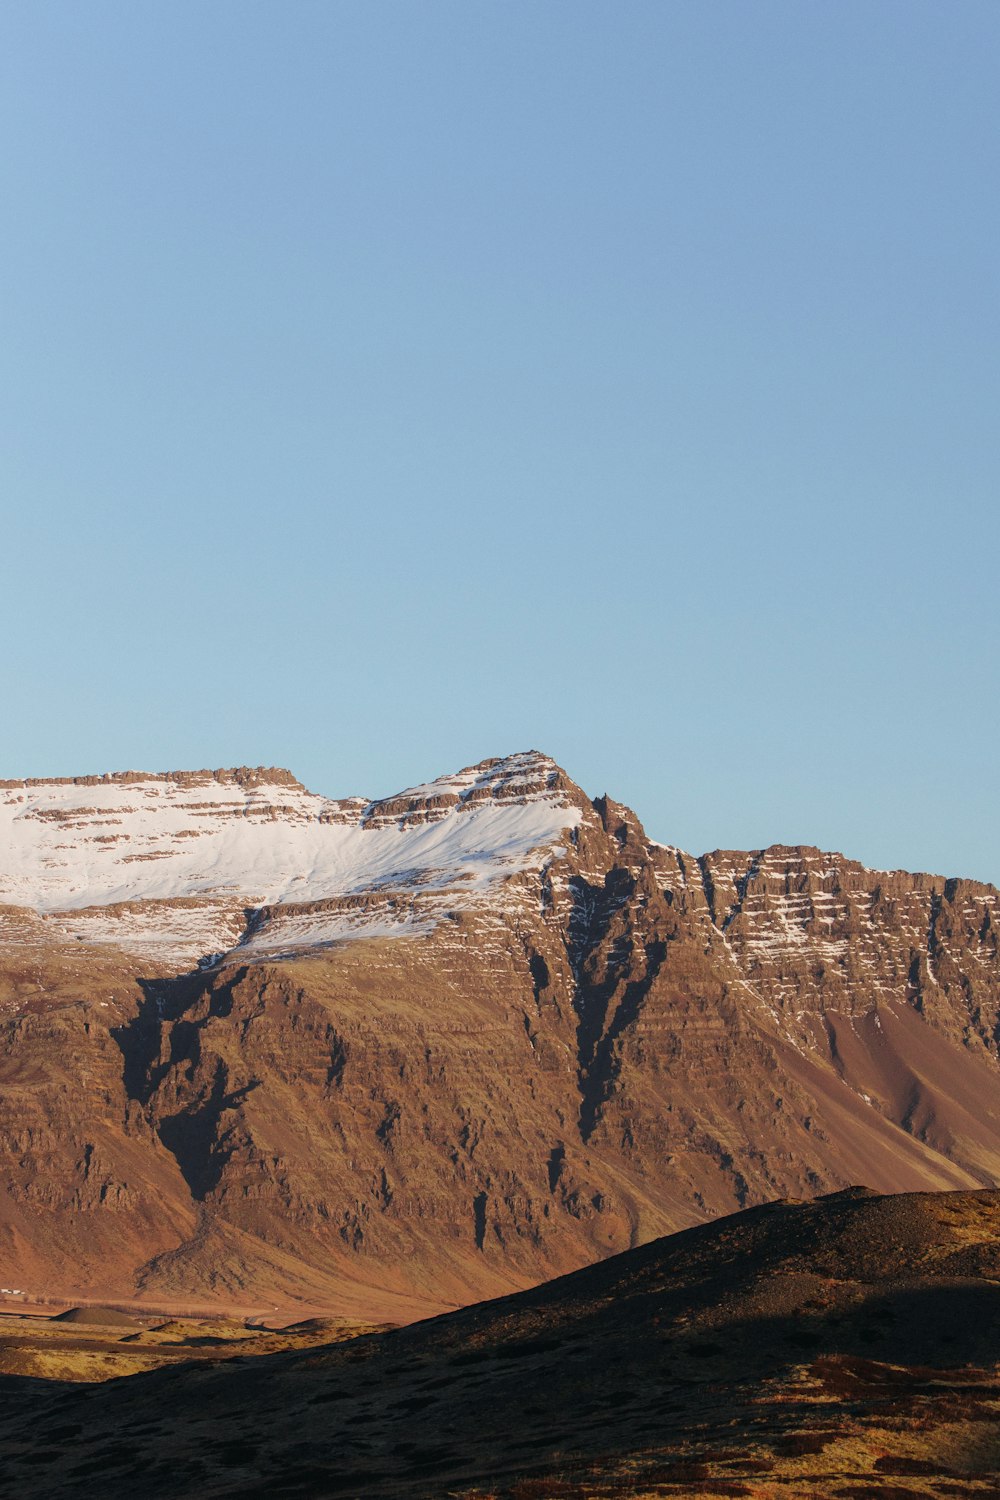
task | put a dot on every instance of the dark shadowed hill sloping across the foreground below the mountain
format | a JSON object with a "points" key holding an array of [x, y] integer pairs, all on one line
{"points": [[845, 1348]]}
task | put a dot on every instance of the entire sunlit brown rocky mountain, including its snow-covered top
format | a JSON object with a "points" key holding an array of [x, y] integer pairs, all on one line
{"points": [[260, 1048]]}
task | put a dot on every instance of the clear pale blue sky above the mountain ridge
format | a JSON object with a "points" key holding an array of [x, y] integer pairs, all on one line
{"points": [[385, 386]]}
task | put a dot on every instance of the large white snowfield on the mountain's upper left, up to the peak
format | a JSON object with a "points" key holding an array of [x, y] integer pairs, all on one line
{"points": [[100, 860]]}
